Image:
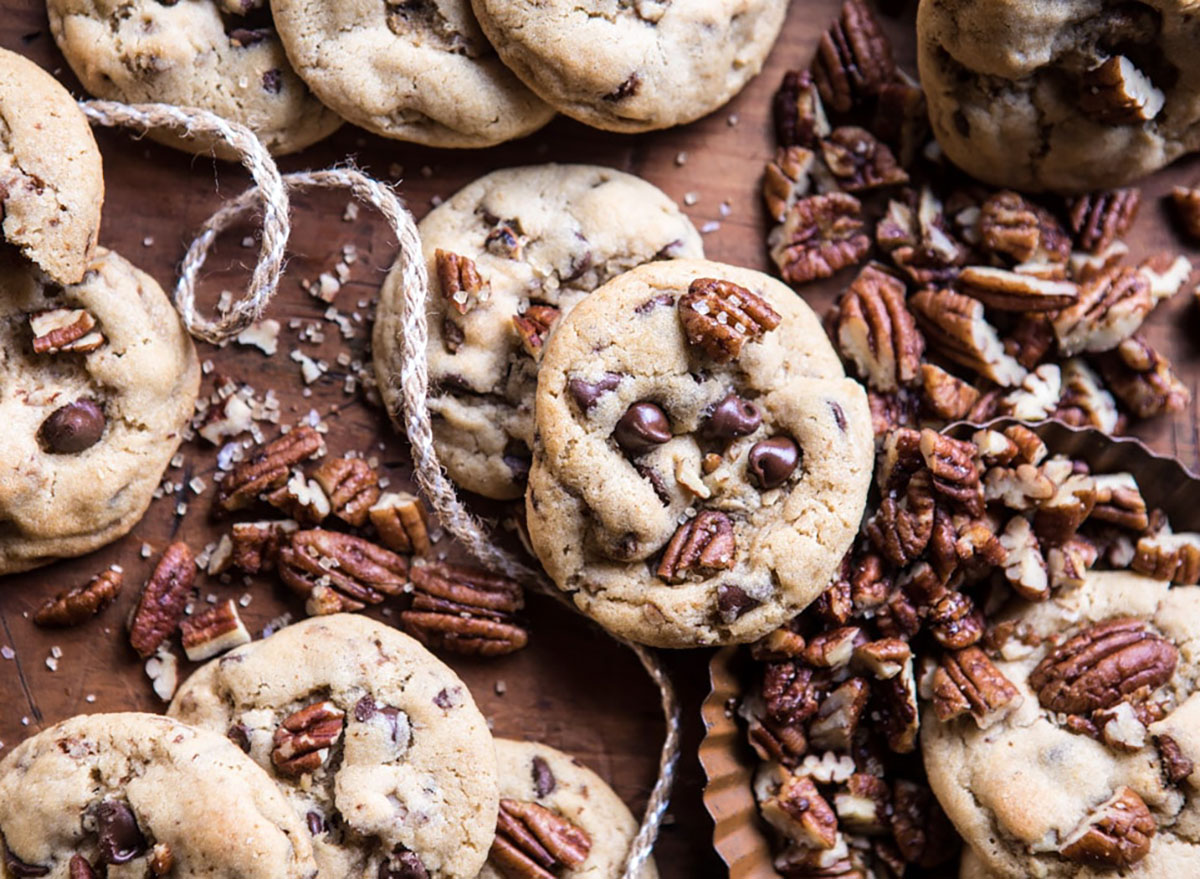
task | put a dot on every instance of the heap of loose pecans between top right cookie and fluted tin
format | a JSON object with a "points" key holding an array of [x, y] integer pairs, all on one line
{"points": [[979, 303]]}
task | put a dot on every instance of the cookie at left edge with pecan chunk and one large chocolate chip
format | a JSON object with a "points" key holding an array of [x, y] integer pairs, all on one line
{"points": [[98, 381]]}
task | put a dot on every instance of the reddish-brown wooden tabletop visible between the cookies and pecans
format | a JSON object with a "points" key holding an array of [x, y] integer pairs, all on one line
{"points": [[573, 687]]}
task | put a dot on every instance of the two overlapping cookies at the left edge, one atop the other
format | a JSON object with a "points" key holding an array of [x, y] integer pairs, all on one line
{"points": [[98, 376]]}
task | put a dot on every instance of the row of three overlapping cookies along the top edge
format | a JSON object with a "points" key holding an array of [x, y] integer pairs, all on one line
{"points": [[422, 73]]}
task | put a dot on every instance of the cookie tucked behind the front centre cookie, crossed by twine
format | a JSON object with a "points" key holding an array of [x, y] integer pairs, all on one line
{"points": [[508, 255]]}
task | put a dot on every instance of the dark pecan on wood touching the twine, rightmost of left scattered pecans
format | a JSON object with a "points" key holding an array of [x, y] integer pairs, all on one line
{"points": [[465, 611]]}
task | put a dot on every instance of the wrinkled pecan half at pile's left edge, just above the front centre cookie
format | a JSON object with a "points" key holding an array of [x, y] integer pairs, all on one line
{"points": [[820, 236]]}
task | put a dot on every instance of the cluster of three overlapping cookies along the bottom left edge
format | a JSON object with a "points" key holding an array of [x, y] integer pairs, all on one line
{"points": [[337, 748]]}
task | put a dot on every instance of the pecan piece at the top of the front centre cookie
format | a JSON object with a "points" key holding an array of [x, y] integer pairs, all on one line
{"points": [[719, 318]]}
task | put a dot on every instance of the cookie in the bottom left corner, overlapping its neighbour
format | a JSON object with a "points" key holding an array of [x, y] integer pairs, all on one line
{"points": [[140, 796]]}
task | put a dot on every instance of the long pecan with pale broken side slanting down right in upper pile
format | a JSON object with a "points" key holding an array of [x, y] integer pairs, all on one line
{"points": [[955, 325]]}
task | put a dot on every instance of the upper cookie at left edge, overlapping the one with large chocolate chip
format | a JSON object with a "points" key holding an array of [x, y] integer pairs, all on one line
{"points": [[52, 183]]}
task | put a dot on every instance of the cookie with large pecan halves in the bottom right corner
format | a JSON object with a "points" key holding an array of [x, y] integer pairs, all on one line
{"points": [[1093, 774]]}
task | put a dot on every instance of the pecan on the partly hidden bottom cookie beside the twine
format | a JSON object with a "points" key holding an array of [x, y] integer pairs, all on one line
{"points": [[532, 841]]}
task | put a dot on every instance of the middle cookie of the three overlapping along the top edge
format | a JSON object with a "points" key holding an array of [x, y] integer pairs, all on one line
{"points": [[421, 73]]}
